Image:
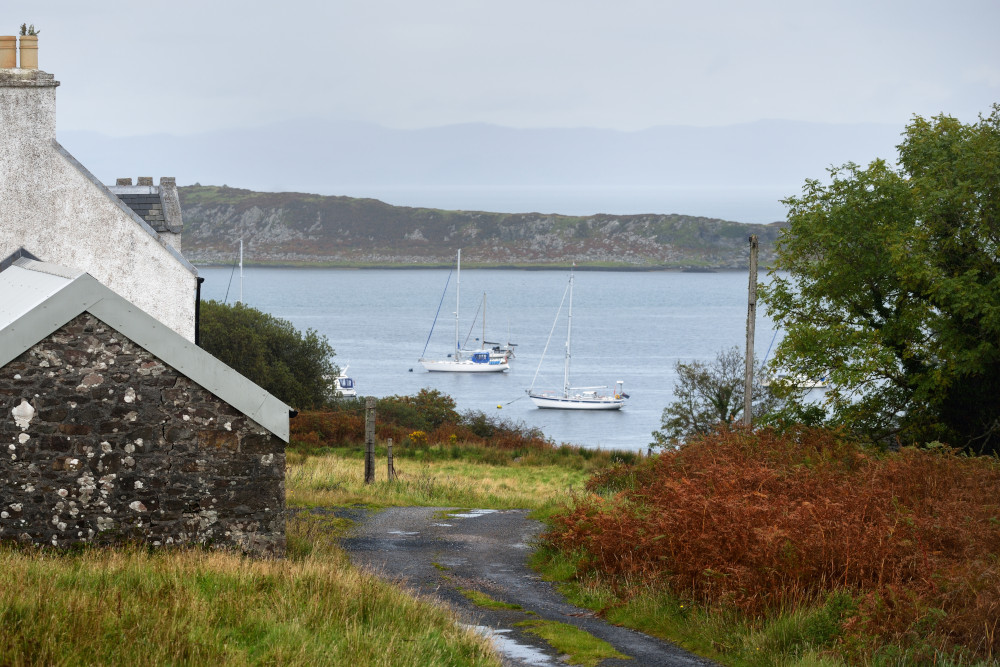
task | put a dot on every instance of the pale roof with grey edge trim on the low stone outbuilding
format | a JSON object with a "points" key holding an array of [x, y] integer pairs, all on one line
{"points": [[40, 297]]}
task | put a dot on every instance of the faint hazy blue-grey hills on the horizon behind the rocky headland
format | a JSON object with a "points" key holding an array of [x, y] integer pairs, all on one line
{"points": [[737, 172]]}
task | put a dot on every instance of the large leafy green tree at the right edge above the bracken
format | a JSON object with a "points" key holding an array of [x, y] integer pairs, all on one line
{"points": [[893, 285]]}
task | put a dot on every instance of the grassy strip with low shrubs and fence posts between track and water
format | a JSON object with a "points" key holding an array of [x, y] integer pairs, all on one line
{"points": [[441, 458]]}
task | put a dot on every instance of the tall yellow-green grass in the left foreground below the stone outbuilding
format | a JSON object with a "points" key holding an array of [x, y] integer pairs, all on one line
{"points": [[135, 607]]}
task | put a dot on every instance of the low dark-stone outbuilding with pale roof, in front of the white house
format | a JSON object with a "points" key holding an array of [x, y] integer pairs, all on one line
{"points": [[117, 428]]}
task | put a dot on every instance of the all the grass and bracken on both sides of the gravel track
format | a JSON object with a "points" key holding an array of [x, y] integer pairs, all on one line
{"points": [[753, 548]]}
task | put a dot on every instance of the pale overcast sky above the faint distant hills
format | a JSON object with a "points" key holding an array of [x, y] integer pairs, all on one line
{"points": [[184, 67]]}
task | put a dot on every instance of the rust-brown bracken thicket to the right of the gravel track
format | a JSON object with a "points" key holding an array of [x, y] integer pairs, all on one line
{"points": [[908, 543]]}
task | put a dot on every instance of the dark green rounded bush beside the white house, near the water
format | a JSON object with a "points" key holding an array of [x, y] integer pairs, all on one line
{"points": [[297, 368]]}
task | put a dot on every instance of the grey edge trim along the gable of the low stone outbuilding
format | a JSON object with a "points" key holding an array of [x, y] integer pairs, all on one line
{"points": [[86, 294]]}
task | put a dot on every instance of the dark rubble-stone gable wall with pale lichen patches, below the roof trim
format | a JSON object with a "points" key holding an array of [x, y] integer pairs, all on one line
{"points": [[102, 443]]}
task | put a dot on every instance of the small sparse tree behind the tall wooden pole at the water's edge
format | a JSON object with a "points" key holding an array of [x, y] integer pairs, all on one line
{"points": [[710, 395]]}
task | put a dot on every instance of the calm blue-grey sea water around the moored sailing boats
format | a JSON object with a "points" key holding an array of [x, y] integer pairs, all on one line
{"points": [[630, 326]]}
